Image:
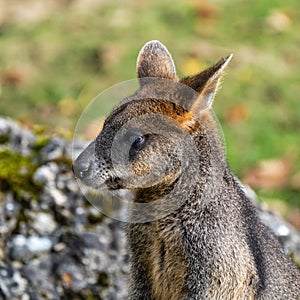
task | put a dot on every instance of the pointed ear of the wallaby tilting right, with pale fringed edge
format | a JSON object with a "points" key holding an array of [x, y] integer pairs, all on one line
{"points": [[206, 84]]}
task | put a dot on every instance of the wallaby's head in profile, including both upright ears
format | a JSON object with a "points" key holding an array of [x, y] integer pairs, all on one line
{"points": [[150, 140]]}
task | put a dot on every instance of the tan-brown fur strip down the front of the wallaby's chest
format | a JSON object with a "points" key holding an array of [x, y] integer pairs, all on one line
{"points": [[163, 259]]}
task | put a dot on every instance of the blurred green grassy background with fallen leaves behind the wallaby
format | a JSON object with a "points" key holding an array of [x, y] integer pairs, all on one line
{"points": [[56, 56]]}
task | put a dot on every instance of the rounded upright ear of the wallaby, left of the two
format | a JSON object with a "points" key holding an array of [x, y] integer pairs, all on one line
{"points": [[154, 60]]}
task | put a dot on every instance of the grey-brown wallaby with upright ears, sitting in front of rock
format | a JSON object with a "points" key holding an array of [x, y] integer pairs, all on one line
{"points": [[204, 239]]}
